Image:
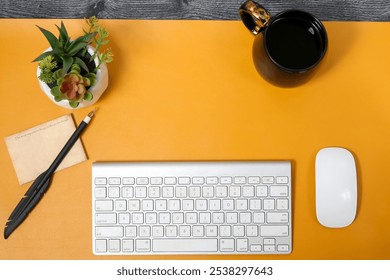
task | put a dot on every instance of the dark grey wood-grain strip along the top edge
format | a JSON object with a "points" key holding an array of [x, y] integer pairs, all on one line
{"points": [[331, 10]]}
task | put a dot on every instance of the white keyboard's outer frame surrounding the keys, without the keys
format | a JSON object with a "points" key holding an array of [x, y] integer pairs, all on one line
{"points": [[204, 169]]}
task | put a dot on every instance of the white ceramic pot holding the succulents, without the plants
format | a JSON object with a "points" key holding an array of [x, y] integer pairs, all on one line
{"points": [[96, 90]]}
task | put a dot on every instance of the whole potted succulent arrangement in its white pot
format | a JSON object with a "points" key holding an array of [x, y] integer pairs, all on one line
{"points": [[73, 73]]}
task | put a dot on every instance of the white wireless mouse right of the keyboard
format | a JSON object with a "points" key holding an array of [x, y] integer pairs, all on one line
{"points": [[336, 187]]}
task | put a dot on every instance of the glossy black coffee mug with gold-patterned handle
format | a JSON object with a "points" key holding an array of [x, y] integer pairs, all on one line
{"points": [[288, 47]]}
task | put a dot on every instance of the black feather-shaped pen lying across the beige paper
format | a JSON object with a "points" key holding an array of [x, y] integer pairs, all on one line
{"points": [[41, 183]]}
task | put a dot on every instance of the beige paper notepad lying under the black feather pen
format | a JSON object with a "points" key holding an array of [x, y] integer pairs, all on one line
{"points": [[33, 150]]}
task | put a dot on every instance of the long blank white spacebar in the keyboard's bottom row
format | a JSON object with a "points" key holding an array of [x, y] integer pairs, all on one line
{"points": [[185, 245]]}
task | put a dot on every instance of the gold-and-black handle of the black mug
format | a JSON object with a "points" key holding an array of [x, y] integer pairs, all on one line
{"points": [[254, 16]]}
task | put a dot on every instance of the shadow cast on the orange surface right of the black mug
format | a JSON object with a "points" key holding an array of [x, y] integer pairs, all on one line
{"points": [[341, 36]]}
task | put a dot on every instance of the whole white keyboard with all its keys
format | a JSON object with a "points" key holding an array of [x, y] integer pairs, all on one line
{"points": [[191, 208]]}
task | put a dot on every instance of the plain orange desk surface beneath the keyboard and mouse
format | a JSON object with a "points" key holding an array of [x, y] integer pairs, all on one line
{"points": [[187, 90]]}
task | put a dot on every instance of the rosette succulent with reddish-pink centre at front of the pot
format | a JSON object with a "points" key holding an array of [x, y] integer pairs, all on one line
{"points": [[73, 86]]}
